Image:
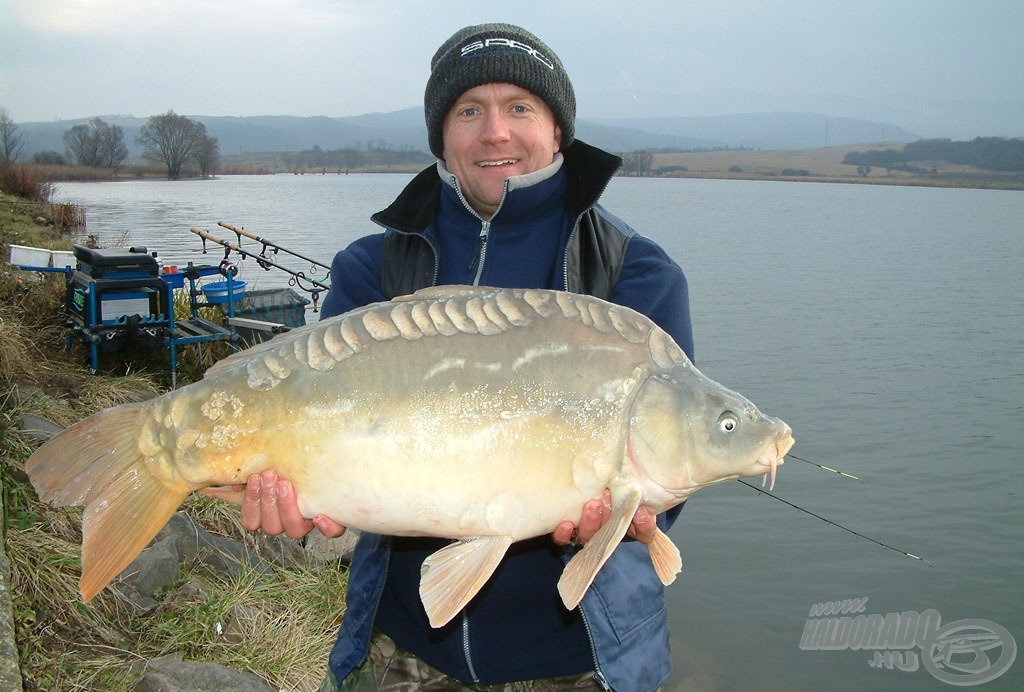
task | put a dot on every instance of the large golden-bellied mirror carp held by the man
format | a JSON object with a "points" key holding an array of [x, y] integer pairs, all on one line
{"points": [[488, 416]]}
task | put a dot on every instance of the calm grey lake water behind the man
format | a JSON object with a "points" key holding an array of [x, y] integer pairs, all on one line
{"points": [[886, 325]]}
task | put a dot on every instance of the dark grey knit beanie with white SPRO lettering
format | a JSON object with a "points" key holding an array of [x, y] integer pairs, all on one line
{"points": [[490, 54]]}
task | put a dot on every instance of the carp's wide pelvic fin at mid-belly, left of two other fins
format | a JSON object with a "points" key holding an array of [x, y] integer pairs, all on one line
{"points": [[452, 577]]}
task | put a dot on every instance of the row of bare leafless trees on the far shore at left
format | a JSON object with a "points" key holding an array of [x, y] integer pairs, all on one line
{"points": [[169, 140]]}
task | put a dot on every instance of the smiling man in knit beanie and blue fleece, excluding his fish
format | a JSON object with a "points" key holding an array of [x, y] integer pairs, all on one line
{"points": [[513, 203]]}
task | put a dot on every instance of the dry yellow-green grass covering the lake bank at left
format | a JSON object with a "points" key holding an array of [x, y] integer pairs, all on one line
{"points": [[279, 626]]}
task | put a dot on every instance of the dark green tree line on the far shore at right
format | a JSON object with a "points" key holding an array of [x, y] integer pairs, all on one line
{"points": [[991, 154]]}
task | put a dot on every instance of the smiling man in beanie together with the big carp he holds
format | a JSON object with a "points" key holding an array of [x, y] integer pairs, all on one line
{"points": [[542, 365]]}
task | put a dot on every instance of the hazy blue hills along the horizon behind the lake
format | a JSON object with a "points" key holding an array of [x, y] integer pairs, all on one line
{"points": [[404, 131]]}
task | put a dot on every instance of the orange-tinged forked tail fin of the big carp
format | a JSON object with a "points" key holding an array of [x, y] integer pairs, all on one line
{"points": [[98, 463]]}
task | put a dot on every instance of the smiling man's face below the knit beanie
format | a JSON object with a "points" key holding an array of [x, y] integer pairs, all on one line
{"points": [[494, 133]]}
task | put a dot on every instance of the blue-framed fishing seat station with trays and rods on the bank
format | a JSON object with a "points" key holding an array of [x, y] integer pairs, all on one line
{"points": [[123, 299]]}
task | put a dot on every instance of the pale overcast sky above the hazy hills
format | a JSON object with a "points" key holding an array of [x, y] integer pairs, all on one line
{"points": [[938, 68]]}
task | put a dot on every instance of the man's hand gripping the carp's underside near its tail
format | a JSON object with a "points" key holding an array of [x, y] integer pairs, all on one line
{"points": [[269, 503]]}
